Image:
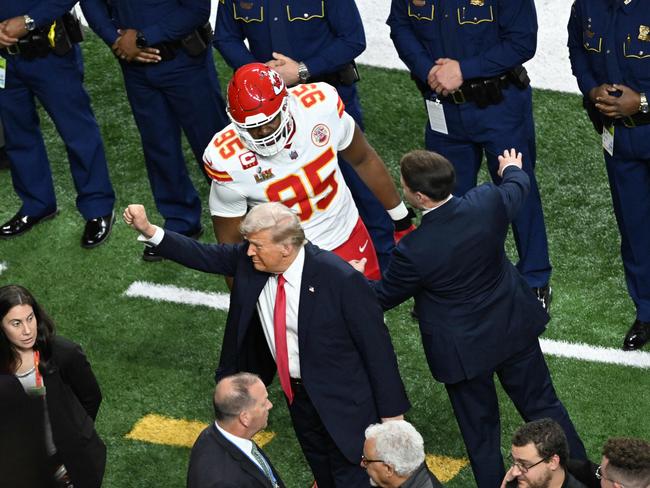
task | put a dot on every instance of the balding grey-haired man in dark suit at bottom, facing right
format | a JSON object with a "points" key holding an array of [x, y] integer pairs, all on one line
{"points": [[225, 454]]}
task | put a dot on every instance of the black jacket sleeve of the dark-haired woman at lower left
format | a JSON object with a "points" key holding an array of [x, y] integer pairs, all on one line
{"points": [[77, 373]]}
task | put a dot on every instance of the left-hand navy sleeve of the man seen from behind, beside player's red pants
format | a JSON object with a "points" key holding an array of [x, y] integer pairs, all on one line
{"points": [[400, 282]]}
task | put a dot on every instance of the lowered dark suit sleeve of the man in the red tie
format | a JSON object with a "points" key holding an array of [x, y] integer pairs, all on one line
{"points": [[365, 321]]}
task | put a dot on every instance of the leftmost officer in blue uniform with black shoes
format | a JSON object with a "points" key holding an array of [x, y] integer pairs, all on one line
{"points": [[38, 46]]}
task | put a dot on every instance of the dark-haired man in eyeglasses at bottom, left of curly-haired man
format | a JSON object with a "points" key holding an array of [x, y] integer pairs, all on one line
{"points": [[539, 454]]}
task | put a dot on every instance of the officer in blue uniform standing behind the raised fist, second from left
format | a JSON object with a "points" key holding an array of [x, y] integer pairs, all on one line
{"points": [[171, 82]]}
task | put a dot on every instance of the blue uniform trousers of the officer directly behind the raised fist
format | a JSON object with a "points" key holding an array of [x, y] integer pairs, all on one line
{"points": [[182, 93]]}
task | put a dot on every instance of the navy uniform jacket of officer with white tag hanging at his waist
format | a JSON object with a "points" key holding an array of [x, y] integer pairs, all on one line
{"points": [[487, 37]]}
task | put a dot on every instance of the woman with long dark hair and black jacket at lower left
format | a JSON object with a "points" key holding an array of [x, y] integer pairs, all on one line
{"points": [[56, 370]]}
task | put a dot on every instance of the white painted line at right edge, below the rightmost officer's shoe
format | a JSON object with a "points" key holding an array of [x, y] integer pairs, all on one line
{"points": [[585, 352]]}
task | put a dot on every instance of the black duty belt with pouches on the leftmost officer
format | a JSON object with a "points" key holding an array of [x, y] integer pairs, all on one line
{"points": [[56, 38]]}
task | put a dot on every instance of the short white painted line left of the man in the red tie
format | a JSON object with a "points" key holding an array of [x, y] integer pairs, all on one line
{"points": [[175, 294]]}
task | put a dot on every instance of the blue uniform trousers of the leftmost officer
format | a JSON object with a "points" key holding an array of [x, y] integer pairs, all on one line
{"points": [[57, 83]]}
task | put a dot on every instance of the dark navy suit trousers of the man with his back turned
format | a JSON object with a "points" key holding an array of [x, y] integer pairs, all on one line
{"points": [[527, 381]]}
